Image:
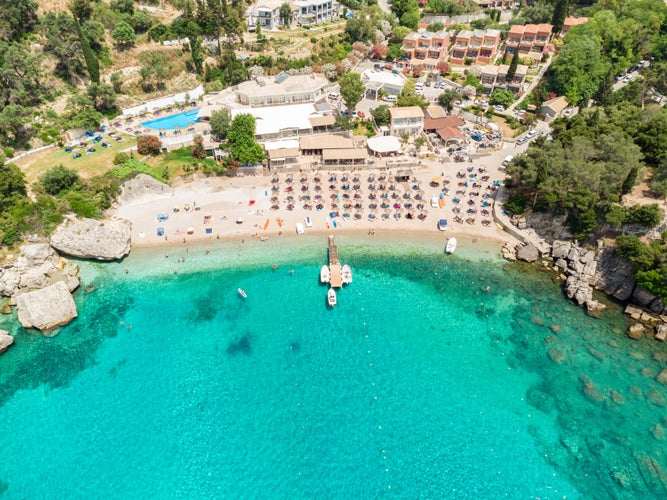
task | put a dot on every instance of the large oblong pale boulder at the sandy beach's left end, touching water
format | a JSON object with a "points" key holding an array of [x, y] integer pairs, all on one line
{"points": [[93, 239]]}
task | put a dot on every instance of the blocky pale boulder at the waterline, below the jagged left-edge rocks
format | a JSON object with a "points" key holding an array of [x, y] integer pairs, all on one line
{"points": [[46, 308]]}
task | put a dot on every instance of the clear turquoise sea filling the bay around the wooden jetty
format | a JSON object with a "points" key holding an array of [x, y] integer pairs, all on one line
{"points": [[419, 384]]}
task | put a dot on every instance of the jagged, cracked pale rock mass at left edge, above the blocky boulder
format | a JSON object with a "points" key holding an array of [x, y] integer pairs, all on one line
{"points": [[37, 266]]}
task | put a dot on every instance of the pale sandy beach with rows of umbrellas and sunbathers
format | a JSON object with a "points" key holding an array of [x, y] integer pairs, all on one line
{"points": [[366, 201]]}
